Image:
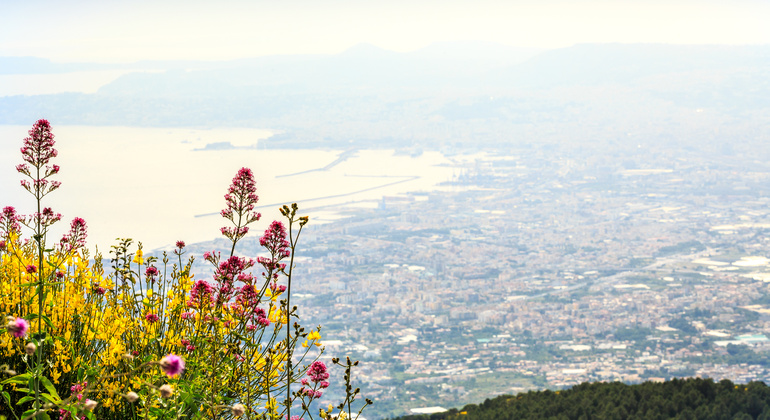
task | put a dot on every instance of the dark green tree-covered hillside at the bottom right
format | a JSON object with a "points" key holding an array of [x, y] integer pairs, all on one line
{"points": [[694, 398]]}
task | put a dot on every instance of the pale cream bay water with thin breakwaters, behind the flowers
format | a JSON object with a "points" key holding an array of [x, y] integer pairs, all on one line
{"points": [[149, 184]]}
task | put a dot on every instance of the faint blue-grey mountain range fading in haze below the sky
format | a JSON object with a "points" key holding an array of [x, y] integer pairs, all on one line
{"points": [[366, 85]]}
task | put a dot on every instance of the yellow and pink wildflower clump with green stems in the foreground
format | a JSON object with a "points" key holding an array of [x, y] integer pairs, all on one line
{"points": [[144, 338]]}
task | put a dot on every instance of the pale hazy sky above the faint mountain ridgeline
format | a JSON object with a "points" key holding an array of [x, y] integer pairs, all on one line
{"points": [[109, 30]]}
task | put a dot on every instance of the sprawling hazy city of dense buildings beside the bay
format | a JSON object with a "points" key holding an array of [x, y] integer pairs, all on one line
{"points": [[537, 270]]}
